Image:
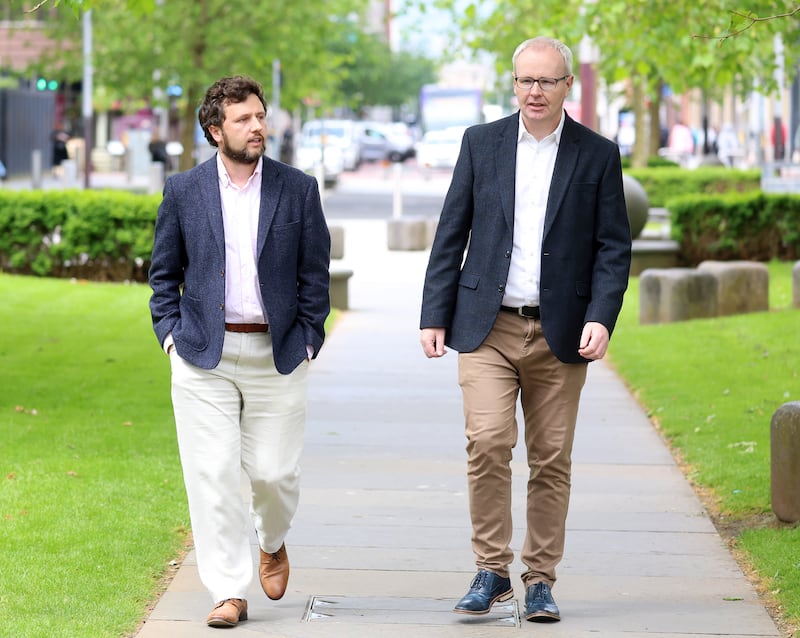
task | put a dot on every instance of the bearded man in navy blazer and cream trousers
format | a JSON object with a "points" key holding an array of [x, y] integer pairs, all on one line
{"points": [[240, 296]]}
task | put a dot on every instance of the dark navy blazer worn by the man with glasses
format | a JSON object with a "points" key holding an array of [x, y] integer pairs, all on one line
{"points": [[586, 246]]}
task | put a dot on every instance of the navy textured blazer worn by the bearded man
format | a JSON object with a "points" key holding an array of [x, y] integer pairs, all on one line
{"points": [[187, 273]]}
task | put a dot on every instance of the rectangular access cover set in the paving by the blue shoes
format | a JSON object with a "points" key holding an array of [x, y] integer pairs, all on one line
{"points": [[365, 610]]}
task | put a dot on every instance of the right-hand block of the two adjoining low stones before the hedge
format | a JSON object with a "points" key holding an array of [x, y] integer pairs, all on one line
{"points": [[743, 286]]}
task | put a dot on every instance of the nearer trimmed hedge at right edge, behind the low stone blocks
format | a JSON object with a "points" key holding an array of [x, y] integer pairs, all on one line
{"points": [[752, 226]]}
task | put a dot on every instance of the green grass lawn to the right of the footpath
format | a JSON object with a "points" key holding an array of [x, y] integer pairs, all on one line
{"points": [[712, 387]]}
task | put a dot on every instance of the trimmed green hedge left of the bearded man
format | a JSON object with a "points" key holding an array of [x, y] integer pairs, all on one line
{"points": [[102, 235]]}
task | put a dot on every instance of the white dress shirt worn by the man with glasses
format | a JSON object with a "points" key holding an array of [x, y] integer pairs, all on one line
{"points": [[534, 173]]}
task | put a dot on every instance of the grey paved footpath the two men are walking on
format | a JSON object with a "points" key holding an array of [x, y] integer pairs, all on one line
{"points": [[381, 542]]}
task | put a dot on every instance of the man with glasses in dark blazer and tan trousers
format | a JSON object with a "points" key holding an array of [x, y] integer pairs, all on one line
{"points": [[525, 280]]}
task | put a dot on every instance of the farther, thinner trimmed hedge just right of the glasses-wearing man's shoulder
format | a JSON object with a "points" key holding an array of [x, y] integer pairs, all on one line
{"points": [[662, 184]]}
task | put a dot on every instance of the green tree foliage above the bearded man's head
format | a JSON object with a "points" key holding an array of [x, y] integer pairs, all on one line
{"points": [[141, 45]]}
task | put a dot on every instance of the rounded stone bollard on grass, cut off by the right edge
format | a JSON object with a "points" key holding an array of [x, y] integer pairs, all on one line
{"points": [[785, 462]]}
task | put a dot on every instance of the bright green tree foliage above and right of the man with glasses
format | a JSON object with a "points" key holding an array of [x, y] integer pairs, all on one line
{"points": [[643, 44]]}
